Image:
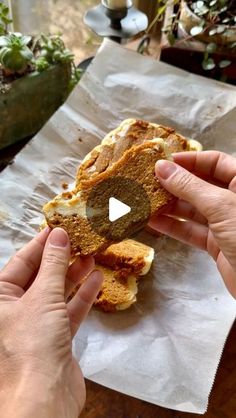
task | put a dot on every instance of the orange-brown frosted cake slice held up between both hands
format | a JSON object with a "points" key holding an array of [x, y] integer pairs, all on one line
{"points": [[69, 211]]}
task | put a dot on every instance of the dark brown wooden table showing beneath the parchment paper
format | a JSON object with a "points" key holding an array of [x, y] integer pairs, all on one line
{"points": [[106, 403]]}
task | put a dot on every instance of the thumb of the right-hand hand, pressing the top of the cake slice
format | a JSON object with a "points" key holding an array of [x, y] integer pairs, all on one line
{"points": [[213, 202]]}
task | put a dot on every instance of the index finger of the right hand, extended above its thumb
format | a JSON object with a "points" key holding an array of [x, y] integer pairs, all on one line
{"points": [[213, 164]]}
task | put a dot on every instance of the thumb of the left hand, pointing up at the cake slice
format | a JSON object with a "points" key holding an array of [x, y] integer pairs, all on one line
{"points": [[54, 264]]}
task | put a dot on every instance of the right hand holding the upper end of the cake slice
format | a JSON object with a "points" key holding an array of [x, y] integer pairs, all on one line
{"points": [[205, 184]]}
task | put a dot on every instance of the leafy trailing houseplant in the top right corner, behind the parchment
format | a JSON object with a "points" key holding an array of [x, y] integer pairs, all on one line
{"points": [[212, 22]]}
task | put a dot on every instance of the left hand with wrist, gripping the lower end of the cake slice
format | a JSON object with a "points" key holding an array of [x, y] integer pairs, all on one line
{"points": [[38, 375]]}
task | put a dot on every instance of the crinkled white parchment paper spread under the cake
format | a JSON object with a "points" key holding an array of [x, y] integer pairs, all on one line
{"points": [[167, 347]]}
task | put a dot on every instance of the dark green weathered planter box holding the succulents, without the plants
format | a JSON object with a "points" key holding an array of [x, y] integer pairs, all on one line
{"points": [[30, 101]]}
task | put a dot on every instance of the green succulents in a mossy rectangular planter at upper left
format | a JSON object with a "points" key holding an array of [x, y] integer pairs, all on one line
{"points": [[36, 75]]}
